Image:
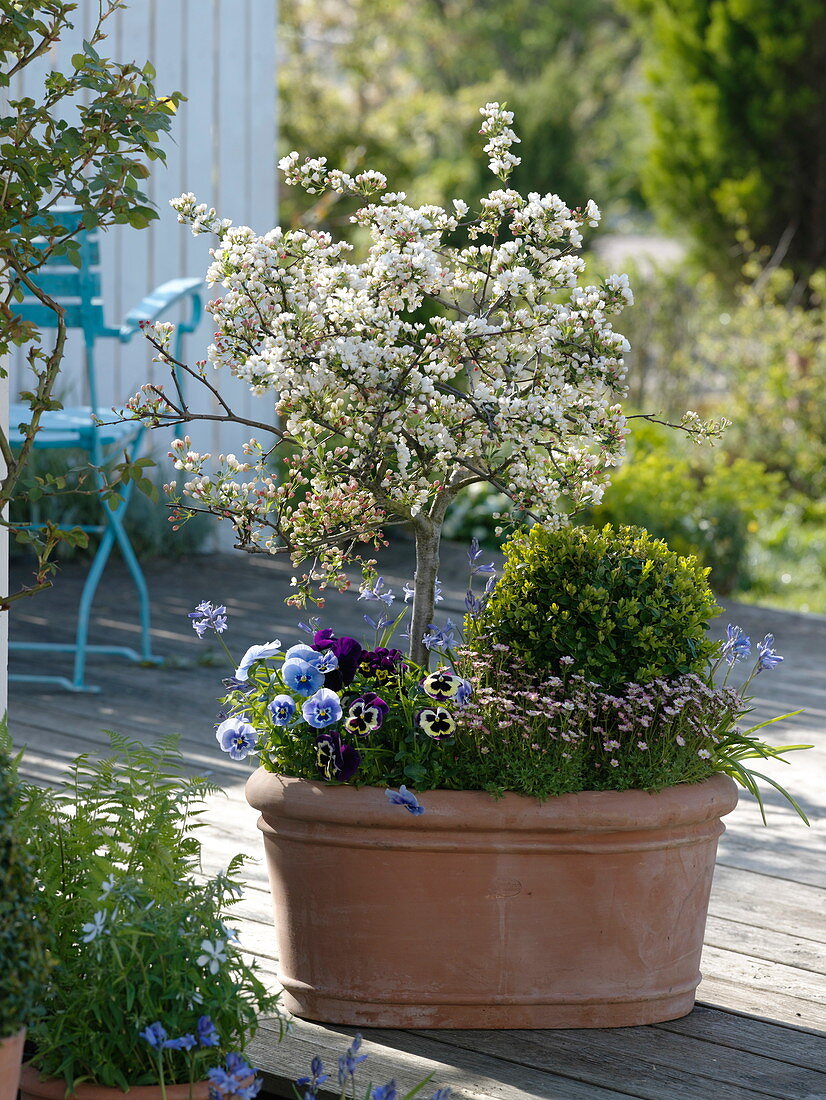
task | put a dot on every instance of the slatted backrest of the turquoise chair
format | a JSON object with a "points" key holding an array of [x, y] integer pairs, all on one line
{"points": [[78, 290]]}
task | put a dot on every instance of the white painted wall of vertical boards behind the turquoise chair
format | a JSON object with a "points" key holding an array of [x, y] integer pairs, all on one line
{"points": [[223, 56]]}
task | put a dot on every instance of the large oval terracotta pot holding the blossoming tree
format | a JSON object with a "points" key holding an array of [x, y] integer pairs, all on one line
{"points": [[586, 911]]}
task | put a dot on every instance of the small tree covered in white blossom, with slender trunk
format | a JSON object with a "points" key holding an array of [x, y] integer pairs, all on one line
{"points": [[461, 349]]}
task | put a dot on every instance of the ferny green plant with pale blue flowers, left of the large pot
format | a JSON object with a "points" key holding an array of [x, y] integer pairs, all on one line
{"points": [[134, 927]]}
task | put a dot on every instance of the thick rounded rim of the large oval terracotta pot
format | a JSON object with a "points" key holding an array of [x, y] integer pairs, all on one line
{"points": [[615, 811]]}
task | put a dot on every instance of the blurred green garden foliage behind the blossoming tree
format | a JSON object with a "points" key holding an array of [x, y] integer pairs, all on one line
{"points": [[700, 129]]}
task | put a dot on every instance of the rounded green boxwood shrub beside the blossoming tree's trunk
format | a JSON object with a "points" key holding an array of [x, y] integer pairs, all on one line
{"points": [[623, 606]]}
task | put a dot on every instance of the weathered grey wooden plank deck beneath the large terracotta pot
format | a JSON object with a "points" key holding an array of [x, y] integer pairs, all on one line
{"points": [[761, 1028]]}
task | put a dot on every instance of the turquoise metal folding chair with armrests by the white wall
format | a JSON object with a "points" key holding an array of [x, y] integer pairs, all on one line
{"points": [[78, 428]]}
